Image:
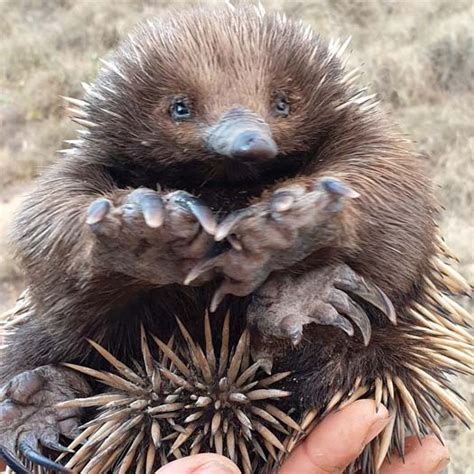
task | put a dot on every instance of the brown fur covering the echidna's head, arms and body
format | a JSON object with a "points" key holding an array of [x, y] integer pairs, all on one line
{"points": [[220, 60]]}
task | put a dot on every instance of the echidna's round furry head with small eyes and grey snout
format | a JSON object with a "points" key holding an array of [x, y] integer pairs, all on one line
{"points": [[238, 89]]}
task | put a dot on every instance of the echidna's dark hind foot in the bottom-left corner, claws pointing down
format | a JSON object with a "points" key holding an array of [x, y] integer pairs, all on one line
{"points": [[29, 419]]}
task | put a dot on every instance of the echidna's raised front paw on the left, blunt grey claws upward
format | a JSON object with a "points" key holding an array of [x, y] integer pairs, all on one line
{"points": [[142, 230]]}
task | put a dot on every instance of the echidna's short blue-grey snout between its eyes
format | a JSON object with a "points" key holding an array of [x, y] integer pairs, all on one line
{"points": [[243, 135]]}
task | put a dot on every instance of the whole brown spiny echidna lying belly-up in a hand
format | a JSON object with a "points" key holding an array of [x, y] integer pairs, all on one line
{"points": [[314, 216]]}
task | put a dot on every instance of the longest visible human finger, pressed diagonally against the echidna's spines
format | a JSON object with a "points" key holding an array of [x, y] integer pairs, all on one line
{"points": [[338, 440]]}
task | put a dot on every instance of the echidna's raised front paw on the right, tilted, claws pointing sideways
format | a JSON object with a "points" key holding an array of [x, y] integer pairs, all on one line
{"points": [[275, 233]]}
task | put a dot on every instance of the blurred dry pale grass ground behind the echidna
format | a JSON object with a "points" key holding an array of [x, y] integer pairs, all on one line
{"points": [[418, 55]]}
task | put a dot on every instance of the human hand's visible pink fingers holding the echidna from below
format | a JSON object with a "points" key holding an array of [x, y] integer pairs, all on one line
{"points": [[333, 445]]}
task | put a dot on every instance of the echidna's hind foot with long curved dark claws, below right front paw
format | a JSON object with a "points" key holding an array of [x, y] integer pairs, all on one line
{"points": [[286, 303]]}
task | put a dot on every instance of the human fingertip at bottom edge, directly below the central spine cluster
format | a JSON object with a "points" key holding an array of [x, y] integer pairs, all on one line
{"points": [[204, 463]]}
